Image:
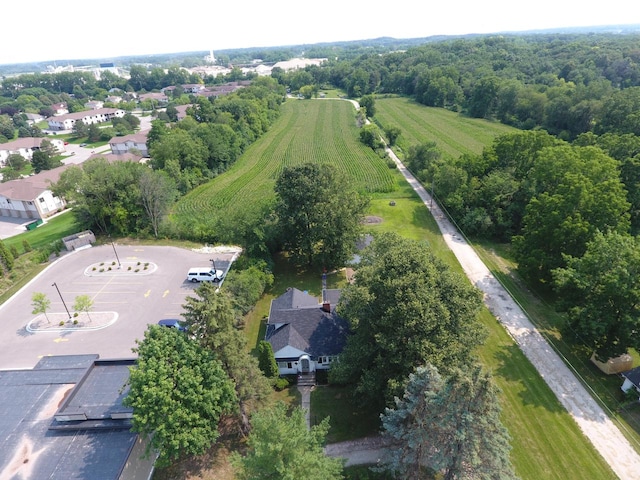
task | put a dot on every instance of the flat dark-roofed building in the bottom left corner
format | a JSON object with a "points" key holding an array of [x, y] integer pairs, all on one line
{"points": [[65, 419]]}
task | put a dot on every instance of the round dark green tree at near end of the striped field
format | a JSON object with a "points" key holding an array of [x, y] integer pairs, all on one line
{"points": [[319, 214]]}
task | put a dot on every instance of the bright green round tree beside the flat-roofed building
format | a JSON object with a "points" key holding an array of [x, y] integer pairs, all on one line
{"points": [[179, 392]]}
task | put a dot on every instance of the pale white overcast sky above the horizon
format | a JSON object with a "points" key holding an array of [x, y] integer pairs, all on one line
{"points": [[39, 30]]}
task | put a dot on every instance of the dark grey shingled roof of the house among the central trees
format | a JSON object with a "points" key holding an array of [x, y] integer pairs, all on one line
{"points": [[296, 319]]}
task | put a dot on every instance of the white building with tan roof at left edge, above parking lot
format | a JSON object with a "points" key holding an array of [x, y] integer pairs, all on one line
{"points": [[31, 197]]}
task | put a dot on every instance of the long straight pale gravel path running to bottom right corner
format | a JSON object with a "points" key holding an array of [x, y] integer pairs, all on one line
{"points": [[592, 420]]}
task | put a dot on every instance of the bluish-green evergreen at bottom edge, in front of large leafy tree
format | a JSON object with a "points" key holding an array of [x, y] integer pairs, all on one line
{"points": [[449, 425]]}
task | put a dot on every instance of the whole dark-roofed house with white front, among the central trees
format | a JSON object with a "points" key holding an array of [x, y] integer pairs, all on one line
{"points": [[305, 335]]}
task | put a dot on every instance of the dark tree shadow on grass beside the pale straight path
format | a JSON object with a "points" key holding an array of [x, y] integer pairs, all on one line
{"points": [[513, 367]]}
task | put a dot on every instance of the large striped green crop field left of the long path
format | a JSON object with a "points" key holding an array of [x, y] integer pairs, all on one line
{"points": [[307, 131]]}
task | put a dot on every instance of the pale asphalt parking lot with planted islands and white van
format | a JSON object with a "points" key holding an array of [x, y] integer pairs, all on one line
{"points": [[135, 299]]}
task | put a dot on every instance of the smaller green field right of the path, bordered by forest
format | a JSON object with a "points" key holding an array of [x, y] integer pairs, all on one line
{"points": [[454, 133]]}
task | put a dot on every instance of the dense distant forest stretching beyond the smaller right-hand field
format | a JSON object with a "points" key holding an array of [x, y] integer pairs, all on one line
{"points": [[566, 84]]}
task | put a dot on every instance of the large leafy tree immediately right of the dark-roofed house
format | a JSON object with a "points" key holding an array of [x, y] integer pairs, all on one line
{"points": [[405, 308]]}
